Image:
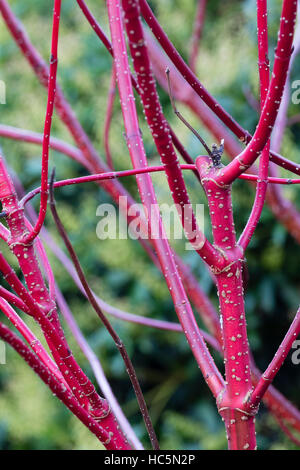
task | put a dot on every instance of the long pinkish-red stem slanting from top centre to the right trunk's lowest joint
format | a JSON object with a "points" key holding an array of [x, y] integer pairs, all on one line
{"points": [[138, 157]]}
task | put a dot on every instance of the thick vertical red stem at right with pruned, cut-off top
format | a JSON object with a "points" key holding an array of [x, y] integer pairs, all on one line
{"points": [[232, 404]]}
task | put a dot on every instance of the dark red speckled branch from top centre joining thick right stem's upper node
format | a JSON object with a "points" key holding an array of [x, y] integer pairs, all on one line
{"points": [[160, 129]]}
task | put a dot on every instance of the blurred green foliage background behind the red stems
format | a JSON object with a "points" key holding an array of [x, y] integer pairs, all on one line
{"points": [[119, 271]]}
